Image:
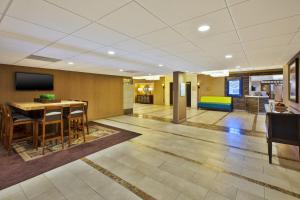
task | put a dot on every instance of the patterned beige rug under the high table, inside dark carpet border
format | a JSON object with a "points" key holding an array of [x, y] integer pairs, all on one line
{"points": [[27, 152]]}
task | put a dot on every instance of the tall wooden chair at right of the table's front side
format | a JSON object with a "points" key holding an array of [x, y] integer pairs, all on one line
{"points": [[75, 122]]}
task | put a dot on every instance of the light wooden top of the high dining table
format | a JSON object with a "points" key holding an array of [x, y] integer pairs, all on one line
{"points": [[28, 106]]}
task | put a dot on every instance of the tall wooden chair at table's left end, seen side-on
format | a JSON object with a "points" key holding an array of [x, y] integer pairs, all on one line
{"points": [[11, 120]]}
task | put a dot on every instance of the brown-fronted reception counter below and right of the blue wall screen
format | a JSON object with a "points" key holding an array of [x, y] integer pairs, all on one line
{"points": [[256, 104]]}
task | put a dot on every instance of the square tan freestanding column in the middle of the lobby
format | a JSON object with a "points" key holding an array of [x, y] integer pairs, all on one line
{"points": [[179, 97]]}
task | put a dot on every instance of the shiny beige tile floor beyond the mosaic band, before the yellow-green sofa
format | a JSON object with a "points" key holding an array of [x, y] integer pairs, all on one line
{"points": [[235, 120]]}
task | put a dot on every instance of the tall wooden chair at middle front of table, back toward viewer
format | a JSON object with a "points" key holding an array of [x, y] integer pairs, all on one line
{"points": [[52, 115]]}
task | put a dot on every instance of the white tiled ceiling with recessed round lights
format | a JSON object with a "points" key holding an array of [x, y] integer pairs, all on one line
{"points": [[145, 33]]}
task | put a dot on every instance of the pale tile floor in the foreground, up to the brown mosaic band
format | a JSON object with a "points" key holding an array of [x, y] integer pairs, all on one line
{"points": [[171, 161]]}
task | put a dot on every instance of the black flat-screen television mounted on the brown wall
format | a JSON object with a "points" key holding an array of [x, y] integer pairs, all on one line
{"points": [[32, 81]]}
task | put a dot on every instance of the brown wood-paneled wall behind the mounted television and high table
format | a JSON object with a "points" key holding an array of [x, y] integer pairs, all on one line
{"points": [[104, 92]]}
